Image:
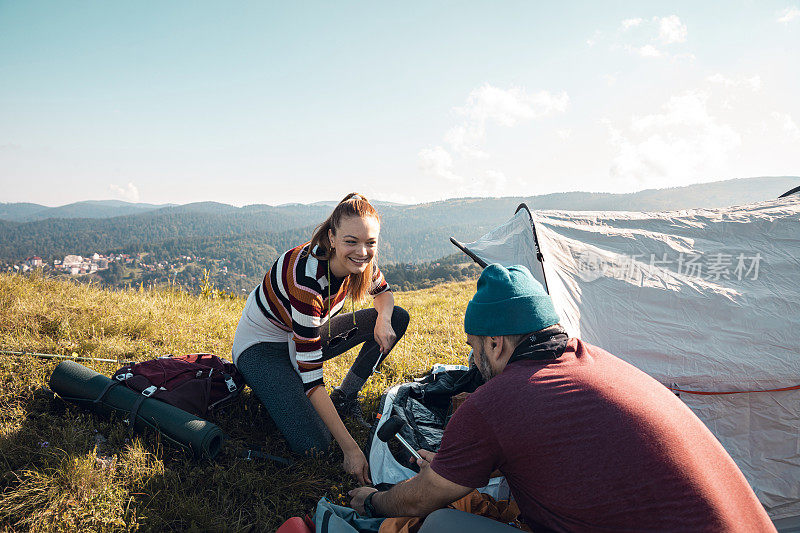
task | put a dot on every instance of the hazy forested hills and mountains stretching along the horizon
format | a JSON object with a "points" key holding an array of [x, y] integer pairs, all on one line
{"points": [[409, 233]]}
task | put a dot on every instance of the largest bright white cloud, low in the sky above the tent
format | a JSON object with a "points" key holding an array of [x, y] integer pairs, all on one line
{"points": [[681, 143]]}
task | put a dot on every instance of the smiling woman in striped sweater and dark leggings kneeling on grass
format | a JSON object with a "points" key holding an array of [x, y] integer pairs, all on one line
{"points": [[287, 331]]}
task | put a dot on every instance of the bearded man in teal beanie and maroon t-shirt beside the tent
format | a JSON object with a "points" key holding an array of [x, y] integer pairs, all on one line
{"points": [[585, 440]]}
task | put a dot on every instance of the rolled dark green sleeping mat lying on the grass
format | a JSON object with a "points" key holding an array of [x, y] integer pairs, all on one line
{"points": [[84, 386]]}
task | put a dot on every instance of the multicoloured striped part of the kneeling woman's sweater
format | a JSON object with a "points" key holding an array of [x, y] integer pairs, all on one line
{"points": [[295, 297]]}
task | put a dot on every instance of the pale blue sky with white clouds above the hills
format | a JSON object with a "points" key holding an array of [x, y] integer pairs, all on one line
{"points": [[298, 101]]}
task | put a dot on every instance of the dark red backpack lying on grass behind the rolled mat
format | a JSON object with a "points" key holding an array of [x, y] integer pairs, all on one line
{"points": [[197, 383]]}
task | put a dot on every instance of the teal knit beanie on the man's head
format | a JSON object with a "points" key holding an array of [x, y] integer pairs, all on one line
{"points": [[509, 301]]}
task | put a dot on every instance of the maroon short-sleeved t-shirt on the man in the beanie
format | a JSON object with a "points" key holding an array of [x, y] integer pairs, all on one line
{"points": [[589, 442]]}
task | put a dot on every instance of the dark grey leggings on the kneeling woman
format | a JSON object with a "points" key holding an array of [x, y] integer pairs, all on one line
{"points": [[267, 369]]}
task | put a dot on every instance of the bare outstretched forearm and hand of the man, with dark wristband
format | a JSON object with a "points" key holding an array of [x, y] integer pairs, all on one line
{"points": [[418, 496]]}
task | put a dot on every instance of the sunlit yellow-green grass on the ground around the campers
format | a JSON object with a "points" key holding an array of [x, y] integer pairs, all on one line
{"points": [[64, 469]]}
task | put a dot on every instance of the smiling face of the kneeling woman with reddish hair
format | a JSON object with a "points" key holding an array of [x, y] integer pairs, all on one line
{"points": [[355, 243]]}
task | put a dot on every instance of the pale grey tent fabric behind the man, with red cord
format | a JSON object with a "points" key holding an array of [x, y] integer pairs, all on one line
{"points": [[703, 300]]}
